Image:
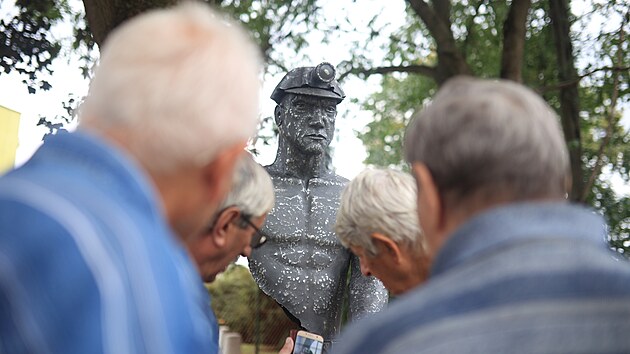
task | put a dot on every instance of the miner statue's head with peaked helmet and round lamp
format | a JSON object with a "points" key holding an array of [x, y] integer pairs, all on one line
{"points": [[307, 99]]}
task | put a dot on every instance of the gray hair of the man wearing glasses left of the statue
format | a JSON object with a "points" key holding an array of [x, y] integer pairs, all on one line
{"points": [[252, 189]]}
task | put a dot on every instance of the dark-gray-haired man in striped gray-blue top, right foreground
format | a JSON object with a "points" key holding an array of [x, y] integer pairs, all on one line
{"points": [[515, 268]]}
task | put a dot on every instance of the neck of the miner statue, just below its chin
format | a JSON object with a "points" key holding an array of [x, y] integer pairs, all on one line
{"points": [[291, 162]]}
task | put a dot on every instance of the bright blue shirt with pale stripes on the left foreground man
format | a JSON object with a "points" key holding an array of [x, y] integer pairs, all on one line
{"points": [[88, 263]]}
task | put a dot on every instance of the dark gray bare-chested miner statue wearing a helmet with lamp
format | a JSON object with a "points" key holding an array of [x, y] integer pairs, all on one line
{"points": [[302, 265]]}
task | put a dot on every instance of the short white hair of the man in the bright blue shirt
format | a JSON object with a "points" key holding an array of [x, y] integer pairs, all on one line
{"points": [[181, 84]]}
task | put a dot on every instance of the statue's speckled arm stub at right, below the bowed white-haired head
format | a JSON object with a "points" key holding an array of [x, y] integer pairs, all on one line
{"points": [[366, 294]]}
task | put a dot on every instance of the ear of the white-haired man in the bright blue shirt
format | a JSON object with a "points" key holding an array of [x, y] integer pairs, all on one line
{"points": [[219, 173]]}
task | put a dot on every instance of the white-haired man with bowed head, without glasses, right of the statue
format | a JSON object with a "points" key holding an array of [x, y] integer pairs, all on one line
{"points": [[378, 221]]}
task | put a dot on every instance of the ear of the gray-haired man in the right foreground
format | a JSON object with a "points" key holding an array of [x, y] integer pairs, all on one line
{"points": [[431, 212]]}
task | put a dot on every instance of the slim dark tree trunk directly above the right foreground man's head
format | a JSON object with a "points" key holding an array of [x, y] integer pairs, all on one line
{"points": [[514, 40]]}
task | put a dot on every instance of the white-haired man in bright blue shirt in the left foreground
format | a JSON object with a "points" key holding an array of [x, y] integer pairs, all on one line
{"points": [[91, 259]]}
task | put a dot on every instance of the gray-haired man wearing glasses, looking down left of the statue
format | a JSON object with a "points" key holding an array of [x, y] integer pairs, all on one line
{"points": [[235, 228]]}
